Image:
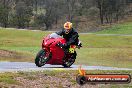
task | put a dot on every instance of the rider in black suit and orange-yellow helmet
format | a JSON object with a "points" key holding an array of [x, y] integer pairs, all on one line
{"points": [[69, 34]]}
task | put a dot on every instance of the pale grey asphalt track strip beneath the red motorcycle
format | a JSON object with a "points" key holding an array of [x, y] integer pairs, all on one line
{"points": [[27, 67]]}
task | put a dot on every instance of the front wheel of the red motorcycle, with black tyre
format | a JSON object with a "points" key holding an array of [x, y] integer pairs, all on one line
{"points": [[41, 58]]}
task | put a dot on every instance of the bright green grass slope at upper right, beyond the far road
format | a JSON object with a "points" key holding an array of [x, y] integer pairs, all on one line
{"points": [[124, 28]]}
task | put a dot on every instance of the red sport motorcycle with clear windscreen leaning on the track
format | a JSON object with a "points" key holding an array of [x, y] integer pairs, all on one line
{"points": [[52, 54]]}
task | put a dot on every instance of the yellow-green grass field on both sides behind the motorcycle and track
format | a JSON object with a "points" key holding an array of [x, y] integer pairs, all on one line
{"points": [[97, 49]]}
